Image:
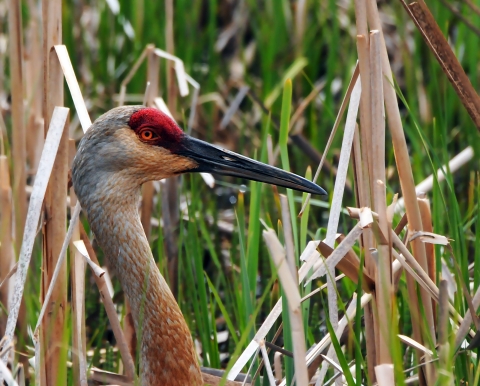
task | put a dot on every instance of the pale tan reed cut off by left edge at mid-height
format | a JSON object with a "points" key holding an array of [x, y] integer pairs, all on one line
{"points": [[7, 256]]}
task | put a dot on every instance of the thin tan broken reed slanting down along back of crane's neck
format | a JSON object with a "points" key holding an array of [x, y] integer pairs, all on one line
{"points": [[111, 311]]}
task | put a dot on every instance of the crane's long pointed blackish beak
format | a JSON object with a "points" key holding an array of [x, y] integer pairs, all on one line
{"points": [[212, 159]]}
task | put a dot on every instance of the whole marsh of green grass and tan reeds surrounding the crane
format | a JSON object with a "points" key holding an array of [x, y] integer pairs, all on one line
{"points": [[227, 280]]}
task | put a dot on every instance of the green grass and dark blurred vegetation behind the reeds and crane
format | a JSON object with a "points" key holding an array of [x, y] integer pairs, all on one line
{"points": [[226, 280]]}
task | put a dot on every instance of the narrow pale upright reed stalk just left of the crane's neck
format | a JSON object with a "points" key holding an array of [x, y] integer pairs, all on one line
{"points": [[77, 275]]}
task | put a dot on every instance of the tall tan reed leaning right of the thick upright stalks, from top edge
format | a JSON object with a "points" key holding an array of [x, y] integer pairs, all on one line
{"points": [[402, 161]]}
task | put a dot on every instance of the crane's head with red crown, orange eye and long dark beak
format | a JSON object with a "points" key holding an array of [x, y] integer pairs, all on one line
{"points": [[145, 144]]}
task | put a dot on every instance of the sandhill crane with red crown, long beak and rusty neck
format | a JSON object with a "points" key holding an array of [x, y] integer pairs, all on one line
{"points": [[124, 148]]}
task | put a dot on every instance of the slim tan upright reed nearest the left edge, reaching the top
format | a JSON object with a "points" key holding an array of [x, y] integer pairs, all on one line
{"points": [[19, 153]]}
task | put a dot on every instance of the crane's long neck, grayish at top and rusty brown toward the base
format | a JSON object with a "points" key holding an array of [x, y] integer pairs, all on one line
{"points": [[167, 351]]}
